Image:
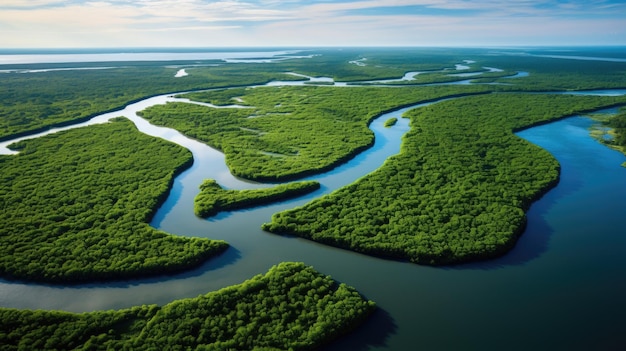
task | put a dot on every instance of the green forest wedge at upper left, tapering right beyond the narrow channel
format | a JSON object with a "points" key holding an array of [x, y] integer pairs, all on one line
{"points": [[35, 101]]}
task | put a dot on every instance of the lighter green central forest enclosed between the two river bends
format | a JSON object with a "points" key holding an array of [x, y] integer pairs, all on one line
{"points": [[331, 124]]}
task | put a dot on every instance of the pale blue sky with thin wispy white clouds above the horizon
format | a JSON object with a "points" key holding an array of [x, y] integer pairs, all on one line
{"points": [[300, 23]]}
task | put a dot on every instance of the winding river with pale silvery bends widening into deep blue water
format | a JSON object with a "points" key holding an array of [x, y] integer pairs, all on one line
{"points": [[561, 287]]}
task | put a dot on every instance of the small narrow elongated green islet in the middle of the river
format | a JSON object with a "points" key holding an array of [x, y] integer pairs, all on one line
{"points": [[213, 199]]}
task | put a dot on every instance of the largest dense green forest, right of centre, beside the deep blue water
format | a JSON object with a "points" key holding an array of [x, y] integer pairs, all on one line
{"points": [[457, 191]]}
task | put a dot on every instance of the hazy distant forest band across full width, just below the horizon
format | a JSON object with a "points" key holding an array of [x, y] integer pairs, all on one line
{"points": [[31, 102]]}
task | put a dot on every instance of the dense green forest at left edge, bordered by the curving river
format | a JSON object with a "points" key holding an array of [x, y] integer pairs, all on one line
{"points": [[76, 206]]}
